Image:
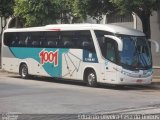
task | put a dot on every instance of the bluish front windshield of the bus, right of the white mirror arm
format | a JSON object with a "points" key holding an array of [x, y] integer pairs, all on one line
{"points": [[136, 53]]}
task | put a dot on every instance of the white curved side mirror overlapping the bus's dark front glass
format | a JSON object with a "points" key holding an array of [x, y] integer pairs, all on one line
{"points": [[118, 40]]}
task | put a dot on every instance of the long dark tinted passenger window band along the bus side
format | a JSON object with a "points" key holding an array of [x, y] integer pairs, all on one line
{"points": [[50, 39]]}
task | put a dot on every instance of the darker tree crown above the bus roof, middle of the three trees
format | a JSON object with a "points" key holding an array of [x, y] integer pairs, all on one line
{"points": [[93, 8]]}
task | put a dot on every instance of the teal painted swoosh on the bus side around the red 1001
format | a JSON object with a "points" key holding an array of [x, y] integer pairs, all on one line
{"points": [[34, 53]]}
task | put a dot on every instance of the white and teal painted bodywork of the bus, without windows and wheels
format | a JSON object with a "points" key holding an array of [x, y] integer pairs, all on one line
{"points": [[70, 63]]}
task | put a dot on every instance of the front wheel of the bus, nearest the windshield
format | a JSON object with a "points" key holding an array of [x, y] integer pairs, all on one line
{"points": [[91, 78]]}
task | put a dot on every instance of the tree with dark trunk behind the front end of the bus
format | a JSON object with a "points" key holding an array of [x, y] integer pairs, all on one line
{"points": [[143, 8]]}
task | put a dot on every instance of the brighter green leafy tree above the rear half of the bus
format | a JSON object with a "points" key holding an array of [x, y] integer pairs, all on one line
{"points": [[42, 12]]}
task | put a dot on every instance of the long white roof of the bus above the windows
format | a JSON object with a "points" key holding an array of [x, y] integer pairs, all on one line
{"points": [[68, 27]]}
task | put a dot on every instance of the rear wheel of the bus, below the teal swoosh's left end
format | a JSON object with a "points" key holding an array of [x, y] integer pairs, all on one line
{"points": [[23, 71]]}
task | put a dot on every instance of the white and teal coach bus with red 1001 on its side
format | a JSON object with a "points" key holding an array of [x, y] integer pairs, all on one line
{"points": [[93, 53]]}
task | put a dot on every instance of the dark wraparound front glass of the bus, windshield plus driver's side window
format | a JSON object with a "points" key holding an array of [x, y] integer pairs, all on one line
{"points": [[135, 55]]}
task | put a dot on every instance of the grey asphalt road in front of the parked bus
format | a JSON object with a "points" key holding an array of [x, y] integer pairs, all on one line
{"points": [[40, 95]]}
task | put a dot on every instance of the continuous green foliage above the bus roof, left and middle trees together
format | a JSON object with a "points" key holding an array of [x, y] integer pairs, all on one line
{"points": [[42, 12]]}
